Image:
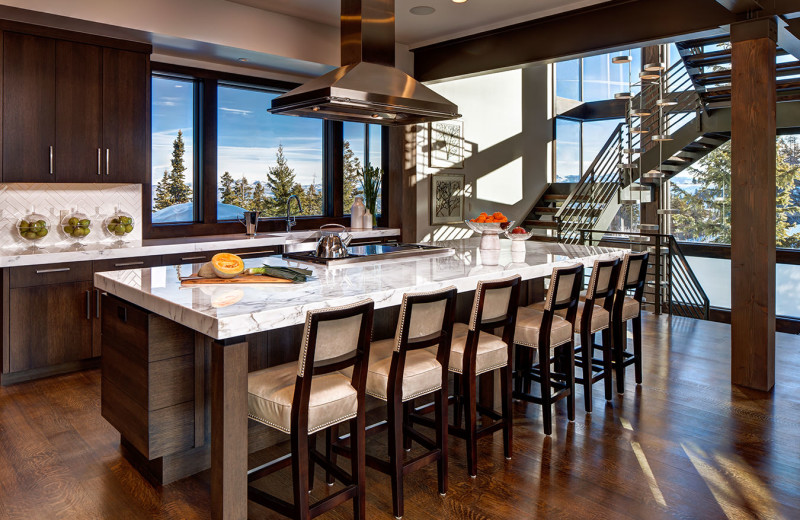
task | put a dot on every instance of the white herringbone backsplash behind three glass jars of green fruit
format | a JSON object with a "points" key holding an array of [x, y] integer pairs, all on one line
{"points": [[54, 201]]}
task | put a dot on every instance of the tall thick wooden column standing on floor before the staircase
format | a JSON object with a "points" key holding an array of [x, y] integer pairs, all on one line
{"points": [[753, 200]]}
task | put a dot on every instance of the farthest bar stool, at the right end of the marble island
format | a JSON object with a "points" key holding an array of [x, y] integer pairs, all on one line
{"points": [[629, 308]]}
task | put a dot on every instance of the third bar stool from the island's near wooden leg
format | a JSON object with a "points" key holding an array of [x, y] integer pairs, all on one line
{"points": [[475, 350]]}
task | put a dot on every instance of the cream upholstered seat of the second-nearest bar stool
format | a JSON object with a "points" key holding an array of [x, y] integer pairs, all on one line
{"points": [[422, 374]]}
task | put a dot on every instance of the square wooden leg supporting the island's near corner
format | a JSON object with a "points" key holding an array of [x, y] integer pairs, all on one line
{"points": [[229, 429]]}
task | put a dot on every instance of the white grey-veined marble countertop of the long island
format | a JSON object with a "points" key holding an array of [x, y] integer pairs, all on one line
{"points": [[225, 311]]}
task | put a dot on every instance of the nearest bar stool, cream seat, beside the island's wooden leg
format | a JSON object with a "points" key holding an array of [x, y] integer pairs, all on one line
{"points": [[311, 395]]}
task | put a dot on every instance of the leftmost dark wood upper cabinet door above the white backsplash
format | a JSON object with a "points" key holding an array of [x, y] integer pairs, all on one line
{"points": [[28, 108]]}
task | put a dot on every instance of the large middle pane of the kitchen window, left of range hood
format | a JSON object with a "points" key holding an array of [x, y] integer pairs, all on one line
{"points": [[263, 159]]}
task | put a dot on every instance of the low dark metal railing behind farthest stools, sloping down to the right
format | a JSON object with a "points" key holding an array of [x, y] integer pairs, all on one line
{"points": [[671, 284]]}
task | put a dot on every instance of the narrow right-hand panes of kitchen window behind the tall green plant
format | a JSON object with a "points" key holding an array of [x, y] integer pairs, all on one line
{"points": [[361, 146]]}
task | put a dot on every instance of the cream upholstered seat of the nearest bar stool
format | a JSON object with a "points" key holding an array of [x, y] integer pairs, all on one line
{"points": [[269, 398]]}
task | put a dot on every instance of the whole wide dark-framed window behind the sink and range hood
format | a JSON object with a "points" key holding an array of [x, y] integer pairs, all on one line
{"points": [[224, 153]]}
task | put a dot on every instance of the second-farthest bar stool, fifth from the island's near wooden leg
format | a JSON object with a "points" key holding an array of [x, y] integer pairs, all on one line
{"points": [[593, 316]]}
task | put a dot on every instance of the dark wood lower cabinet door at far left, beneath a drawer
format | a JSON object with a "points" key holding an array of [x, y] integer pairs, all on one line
{"points": [[50, 325]]}
